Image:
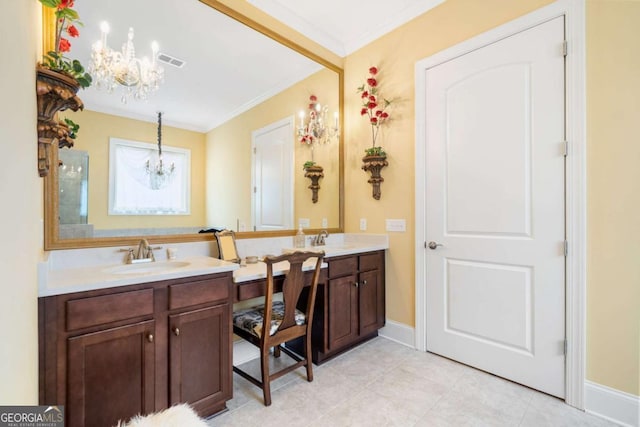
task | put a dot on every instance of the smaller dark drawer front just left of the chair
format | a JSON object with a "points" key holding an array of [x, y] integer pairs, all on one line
{"points": [[205, 291]]}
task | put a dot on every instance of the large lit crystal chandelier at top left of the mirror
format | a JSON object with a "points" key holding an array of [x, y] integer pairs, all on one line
{"points": [[111, 69]]}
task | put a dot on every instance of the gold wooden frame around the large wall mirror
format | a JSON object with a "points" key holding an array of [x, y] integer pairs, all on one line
{"points": [[52, 240]]}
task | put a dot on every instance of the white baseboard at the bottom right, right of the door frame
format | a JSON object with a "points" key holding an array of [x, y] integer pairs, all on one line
{"points": [[614, 405]]}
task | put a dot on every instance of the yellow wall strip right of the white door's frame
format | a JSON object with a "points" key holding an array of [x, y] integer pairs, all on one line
{"points": [[613, 182]]}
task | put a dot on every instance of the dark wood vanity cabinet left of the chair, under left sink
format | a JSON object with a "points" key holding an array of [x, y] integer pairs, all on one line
{"points": [[109, 354]]}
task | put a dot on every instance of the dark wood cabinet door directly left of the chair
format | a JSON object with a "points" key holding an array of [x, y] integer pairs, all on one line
{"points": [[200, 358]]}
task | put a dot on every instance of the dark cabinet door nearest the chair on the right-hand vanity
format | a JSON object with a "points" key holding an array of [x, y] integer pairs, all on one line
{"points": [[343, 311]]}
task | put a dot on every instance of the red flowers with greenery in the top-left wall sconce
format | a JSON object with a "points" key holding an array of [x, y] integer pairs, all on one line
{"points": [[65, 28]]}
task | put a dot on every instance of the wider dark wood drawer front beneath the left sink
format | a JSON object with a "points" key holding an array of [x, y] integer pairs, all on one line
{"points": [[93, 311]]}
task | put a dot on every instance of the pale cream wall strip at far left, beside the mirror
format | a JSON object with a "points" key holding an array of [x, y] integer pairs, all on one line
{"points": [[20, 219]]}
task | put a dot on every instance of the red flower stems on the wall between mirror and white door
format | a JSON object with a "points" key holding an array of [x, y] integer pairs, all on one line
{"points": [[374, 108]]}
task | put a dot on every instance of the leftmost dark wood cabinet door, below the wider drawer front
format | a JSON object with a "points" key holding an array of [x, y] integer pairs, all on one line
{"points": [[111, 375]]}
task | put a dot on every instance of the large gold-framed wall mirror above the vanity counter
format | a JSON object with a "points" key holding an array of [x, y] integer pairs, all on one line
{"points": [[239, 82]]}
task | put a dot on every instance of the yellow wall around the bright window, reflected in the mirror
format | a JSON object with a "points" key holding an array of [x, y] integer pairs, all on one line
{"points": [[95, 131]]}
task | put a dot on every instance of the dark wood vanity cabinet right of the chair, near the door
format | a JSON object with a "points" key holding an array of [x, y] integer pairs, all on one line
{"points": [[350, 306]]}
